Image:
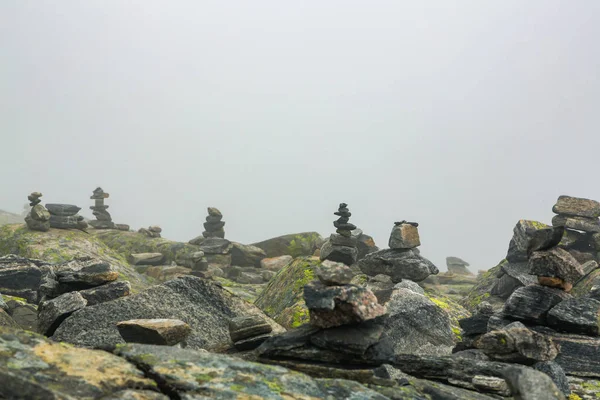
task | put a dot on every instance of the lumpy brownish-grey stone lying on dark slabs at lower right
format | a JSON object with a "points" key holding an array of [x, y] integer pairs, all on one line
{"points": [[516, 343]]}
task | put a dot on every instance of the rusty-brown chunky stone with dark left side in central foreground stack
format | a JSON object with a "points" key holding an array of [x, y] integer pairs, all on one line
{"points": [[331, 306]]}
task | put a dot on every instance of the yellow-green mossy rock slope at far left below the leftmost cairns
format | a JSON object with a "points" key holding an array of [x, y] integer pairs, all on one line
{"points": [[61, 245]]}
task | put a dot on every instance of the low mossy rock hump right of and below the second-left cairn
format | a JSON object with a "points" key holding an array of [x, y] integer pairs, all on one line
{"points": [[127, 243]]}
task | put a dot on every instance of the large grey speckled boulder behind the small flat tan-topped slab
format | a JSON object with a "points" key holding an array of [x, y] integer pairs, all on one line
{"points": [[202, 304]]}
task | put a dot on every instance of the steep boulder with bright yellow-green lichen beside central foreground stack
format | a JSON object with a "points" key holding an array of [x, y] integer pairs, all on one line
{"points": [[283, 299]]}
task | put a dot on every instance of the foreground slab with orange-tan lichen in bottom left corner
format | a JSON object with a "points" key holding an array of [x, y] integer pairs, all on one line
{"points": [[32, 367]]}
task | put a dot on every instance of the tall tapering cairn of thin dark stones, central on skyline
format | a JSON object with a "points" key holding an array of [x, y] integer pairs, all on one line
{"points": [[341, 246]]}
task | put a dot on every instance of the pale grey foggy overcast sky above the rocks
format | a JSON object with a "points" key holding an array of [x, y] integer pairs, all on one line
{"points": [[462, 115]]}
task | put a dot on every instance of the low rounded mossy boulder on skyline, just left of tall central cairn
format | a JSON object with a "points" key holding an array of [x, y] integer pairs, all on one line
{"points": [[295, 245]]}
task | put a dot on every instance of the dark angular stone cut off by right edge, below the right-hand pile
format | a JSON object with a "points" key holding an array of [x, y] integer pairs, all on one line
{"points": [[579, 315]]}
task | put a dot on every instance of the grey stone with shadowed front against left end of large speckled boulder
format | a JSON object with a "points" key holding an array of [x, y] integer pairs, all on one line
{"points": [[53, 312]]}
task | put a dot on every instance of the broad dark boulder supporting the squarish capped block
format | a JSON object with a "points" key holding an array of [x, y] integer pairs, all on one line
{"points": [[398, 264]]}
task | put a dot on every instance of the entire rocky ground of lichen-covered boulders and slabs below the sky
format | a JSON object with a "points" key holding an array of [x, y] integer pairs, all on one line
{"points": [[115, 314]]}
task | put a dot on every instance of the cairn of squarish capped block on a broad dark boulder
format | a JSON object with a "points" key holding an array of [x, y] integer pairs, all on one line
{"points": [[402, 260]]}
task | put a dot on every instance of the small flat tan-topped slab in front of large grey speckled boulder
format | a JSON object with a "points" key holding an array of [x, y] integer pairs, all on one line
{"points": [[165, 332]]}
